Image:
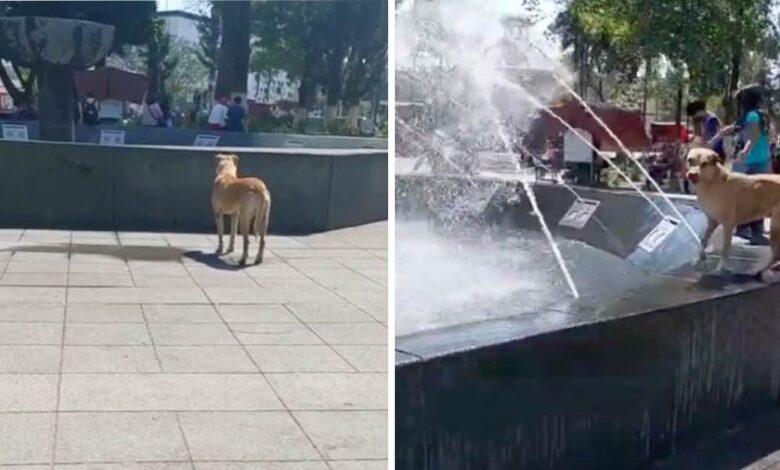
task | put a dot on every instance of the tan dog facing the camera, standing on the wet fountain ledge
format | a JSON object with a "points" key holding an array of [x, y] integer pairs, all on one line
{"points": [[731, 199]]}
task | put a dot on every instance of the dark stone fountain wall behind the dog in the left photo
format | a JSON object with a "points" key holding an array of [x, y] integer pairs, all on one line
{"points": [[155, 188]]}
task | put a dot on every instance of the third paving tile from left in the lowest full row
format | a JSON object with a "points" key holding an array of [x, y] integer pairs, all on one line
{"points": [[245, 436]]}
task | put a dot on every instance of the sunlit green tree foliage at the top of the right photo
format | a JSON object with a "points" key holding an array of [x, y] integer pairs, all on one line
{"points": [[702, 46]]}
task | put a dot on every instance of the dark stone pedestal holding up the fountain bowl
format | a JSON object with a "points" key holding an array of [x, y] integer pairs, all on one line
{"points": [[57, 103]]}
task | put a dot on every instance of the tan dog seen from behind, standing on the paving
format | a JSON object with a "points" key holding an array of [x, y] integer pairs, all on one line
{"points": [[246, 200]]}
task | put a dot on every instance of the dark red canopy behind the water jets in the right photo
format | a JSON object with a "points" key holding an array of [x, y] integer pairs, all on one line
{"points": [[628, 125]]}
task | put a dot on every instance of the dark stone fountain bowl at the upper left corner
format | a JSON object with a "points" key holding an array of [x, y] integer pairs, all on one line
{"points": [[34, 41]]}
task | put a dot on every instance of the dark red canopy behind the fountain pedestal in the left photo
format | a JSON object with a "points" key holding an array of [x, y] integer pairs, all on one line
{"points": [[108, 83]]}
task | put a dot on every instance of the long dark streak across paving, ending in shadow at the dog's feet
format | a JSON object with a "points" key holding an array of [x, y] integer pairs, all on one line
{"points": [[132, 252]]}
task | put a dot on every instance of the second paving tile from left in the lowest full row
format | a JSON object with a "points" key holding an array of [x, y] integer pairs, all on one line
{"points": [[104, 437]]}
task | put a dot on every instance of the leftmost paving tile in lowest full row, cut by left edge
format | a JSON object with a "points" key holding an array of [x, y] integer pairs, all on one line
{"points": [[26, 438]]}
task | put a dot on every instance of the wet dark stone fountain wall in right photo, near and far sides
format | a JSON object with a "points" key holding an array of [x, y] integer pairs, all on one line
{"points": [[619, 381]]}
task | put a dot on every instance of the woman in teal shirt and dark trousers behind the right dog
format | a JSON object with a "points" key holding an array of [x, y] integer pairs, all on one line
{"points": [[755, 155]]}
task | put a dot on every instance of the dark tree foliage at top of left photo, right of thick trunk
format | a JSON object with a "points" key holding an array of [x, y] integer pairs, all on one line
{"points": [[340, 47]]}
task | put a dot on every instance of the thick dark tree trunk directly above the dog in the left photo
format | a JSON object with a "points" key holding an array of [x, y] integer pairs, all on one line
{"points": [[235, 50]]}
